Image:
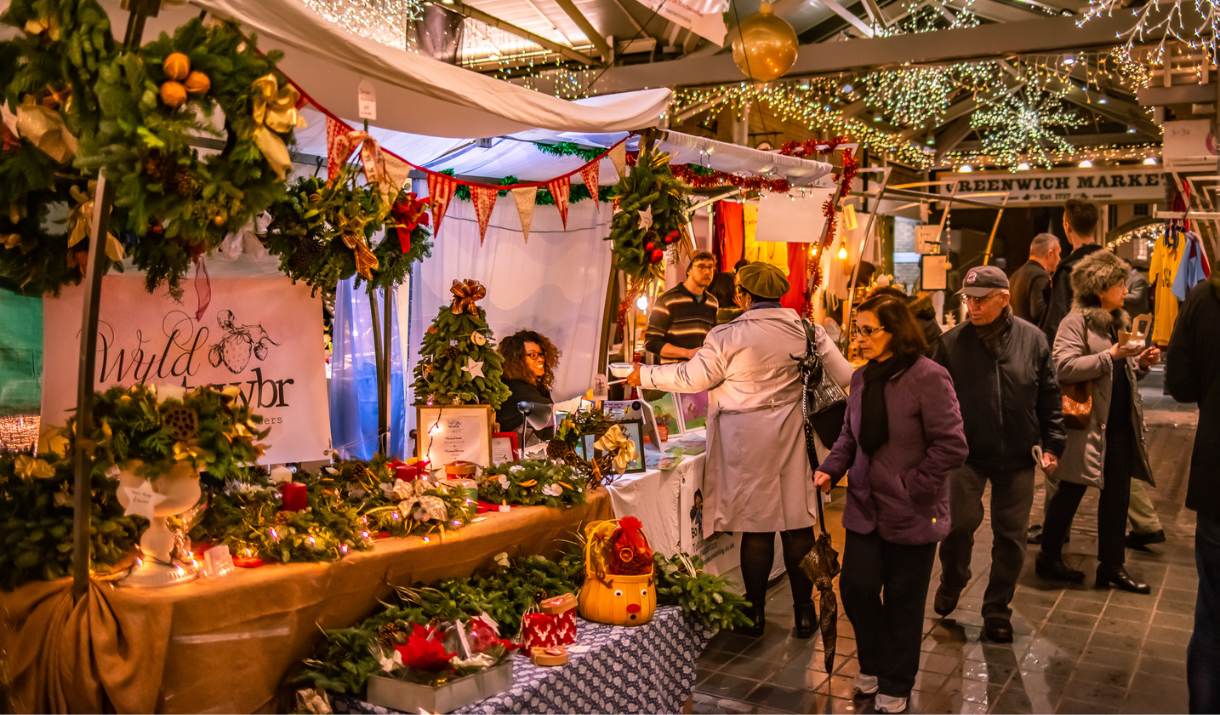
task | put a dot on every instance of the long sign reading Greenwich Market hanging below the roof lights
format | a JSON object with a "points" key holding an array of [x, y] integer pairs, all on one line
{"points": [[1135, 185]]}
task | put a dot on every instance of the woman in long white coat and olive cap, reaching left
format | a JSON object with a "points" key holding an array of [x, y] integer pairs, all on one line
{"points": [[758, 479]]}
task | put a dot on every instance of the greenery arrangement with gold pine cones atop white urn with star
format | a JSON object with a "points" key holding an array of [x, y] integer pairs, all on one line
{"points": [[204, 430]]}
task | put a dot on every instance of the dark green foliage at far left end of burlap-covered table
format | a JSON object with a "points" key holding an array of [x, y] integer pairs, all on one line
{"points": [[37, 520]]}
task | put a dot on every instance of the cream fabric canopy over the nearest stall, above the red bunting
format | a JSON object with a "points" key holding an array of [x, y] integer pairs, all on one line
{"points": [[414, 93]]}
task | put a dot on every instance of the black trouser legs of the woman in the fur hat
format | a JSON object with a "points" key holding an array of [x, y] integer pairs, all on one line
{"points": [[1112, 509]]}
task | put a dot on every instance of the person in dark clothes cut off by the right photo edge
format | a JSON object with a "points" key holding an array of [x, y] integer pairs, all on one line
{"points": [[1193, 375]]}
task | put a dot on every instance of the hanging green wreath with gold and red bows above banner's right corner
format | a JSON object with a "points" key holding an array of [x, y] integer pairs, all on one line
{"points": [[307, 226]]}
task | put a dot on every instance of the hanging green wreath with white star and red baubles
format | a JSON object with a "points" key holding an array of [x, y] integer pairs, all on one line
{"points": [[651, 219]]}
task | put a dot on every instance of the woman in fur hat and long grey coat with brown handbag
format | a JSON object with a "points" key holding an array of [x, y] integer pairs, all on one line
{"points": [[1110, 448]]}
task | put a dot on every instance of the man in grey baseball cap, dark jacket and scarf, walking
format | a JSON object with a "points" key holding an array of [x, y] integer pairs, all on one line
{"points": [[1011, 404]]}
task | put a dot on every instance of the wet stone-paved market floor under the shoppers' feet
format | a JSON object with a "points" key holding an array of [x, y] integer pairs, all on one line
{"points": [[1077, 650]]}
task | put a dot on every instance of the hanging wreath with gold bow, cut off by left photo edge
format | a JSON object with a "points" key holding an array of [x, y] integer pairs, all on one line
{"points": [[48, 74]]}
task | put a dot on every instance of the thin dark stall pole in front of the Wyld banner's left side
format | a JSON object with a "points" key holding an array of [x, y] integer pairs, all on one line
{"points": [[82, 502]]}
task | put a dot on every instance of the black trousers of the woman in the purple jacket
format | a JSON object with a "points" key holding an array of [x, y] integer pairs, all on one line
{"points": [[885, 589]]}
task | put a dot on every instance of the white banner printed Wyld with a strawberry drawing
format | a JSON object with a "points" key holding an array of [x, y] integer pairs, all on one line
{"points": [[260, 335]]}
